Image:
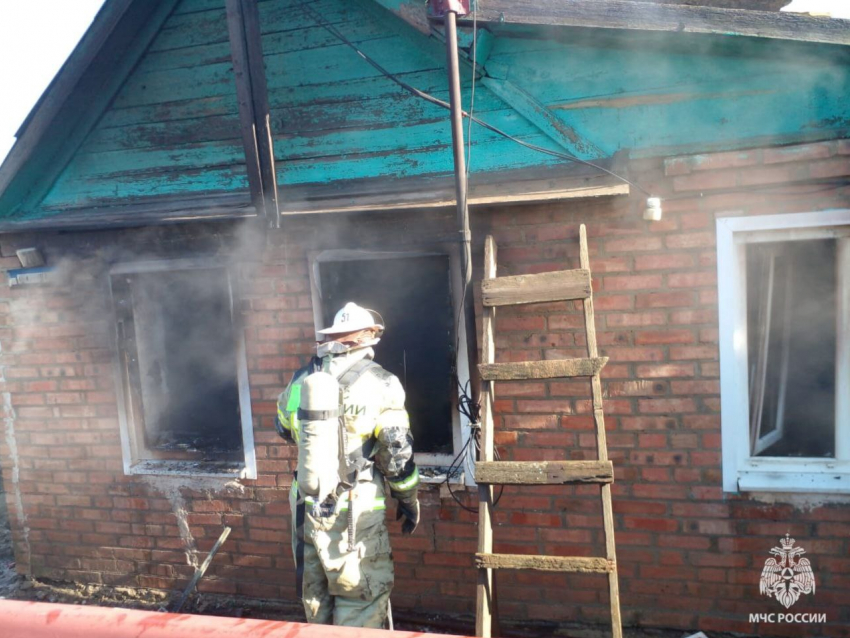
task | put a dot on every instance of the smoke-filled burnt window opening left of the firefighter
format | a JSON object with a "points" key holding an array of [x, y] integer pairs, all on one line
{"points": [[179, 367]]}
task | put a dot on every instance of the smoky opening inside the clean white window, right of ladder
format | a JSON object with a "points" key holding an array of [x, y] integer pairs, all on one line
{"points": [[791, 328]]}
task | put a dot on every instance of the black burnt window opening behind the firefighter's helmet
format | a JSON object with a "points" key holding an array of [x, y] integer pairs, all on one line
{"points": [[413, 295]]}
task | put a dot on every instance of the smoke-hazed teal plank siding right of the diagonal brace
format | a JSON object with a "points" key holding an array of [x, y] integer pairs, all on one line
{"points": [[647, 92]]}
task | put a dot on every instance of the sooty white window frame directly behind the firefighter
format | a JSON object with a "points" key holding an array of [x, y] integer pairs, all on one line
{"points": [[461, 431]]}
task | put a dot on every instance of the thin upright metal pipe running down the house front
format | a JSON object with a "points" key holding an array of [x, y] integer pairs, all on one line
{"points": [[462, 208]]}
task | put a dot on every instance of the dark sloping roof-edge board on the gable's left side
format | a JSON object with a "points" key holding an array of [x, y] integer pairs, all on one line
{"points": [[76, 99]]}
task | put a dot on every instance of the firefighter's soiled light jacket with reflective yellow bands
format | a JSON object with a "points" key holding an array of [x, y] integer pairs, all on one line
{"points": [[377, 428]]}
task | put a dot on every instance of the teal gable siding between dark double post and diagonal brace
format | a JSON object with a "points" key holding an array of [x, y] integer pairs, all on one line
{"points": [[336, 117]]}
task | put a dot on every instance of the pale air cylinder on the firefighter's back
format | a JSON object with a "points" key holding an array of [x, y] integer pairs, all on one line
{"points": [[318, 452]]}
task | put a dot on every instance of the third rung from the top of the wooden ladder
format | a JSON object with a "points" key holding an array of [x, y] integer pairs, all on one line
{"points": [[543, 472]]}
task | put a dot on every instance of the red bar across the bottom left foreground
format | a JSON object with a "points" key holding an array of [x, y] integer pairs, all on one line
{"points": [[20, 619]]}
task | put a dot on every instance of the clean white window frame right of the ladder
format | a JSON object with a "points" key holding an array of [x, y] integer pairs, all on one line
{"points": [[741, 471]]}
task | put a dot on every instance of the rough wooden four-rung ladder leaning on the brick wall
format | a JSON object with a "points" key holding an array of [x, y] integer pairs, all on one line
{"points": [[526, 289]]}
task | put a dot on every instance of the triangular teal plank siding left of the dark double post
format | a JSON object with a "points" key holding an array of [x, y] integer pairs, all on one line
{"points": [[172, 129]]}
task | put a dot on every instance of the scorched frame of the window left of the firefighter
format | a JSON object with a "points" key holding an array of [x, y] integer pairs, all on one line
{"points": [[133, 447]]}
